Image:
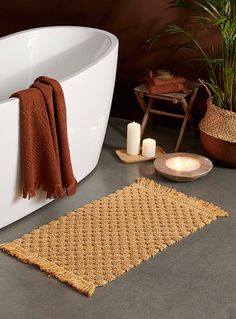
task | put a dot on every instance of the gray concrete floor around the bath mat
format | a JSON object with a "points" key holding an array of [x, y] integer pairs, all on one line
{"points": [[195, 278]]}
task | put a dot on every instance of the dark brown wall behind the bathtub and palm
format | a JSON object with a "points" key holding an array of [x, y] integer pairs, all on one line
{"points": [[132, 21]]}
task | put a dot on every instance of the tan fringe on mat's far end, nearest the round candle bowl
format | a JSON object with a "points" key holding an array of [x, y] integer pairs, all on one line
{"points": [[190, 200]]}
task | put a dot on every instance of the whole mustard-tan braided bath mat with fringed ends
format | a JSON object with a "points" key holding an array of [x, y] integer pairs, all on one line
{"points": [[95, 244]]}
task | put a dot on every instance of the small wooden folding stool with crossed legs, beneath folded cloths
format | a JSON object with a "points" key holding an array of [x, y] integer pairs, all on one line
{"points": [[142, 92]]}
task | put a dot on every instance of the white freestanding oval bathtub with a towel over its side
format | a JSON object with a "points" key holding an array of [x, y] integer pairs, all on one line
{"points": [[84, 61]]}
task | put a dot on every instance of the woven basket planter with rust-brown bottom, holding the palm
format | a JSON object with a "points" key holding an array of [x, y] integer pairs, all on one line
{"points": [[218, 134]]}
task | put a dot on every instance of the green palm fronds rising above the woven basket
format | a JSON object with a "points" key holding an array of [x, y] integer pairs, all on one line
{"points": [[222, 68]]}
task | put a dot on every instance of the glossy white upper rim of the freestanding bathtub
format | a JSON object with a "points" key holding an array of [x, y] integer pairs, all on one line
{"points": [[114, 42]]}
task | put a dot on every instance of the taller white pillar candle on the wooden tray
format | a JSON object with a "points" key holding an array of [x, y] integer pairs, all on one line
{"points": [[133, 138]]}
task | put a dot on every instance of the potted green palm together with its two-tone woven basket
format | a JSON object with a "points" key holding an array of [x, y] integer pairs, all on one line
{"points": [[218, 127]]}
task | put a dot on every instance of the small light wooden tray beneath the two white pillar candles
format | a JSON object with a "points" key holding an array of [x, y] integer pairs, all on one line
{"points": [[126, 158]]}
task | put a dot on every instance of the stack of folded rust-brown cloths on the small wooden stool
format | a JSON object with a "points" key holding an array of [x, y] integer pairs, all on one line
{"points": [[171, 84]]}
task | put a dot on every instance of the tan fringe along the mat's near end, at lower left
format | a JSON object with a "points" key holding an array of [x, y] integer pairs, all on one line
{"points": [[49, 267]]}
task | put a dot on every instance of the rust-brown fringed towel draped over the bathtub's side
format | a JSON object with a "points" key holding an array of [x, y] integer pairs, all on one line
{"points": [[45, 155]]}
